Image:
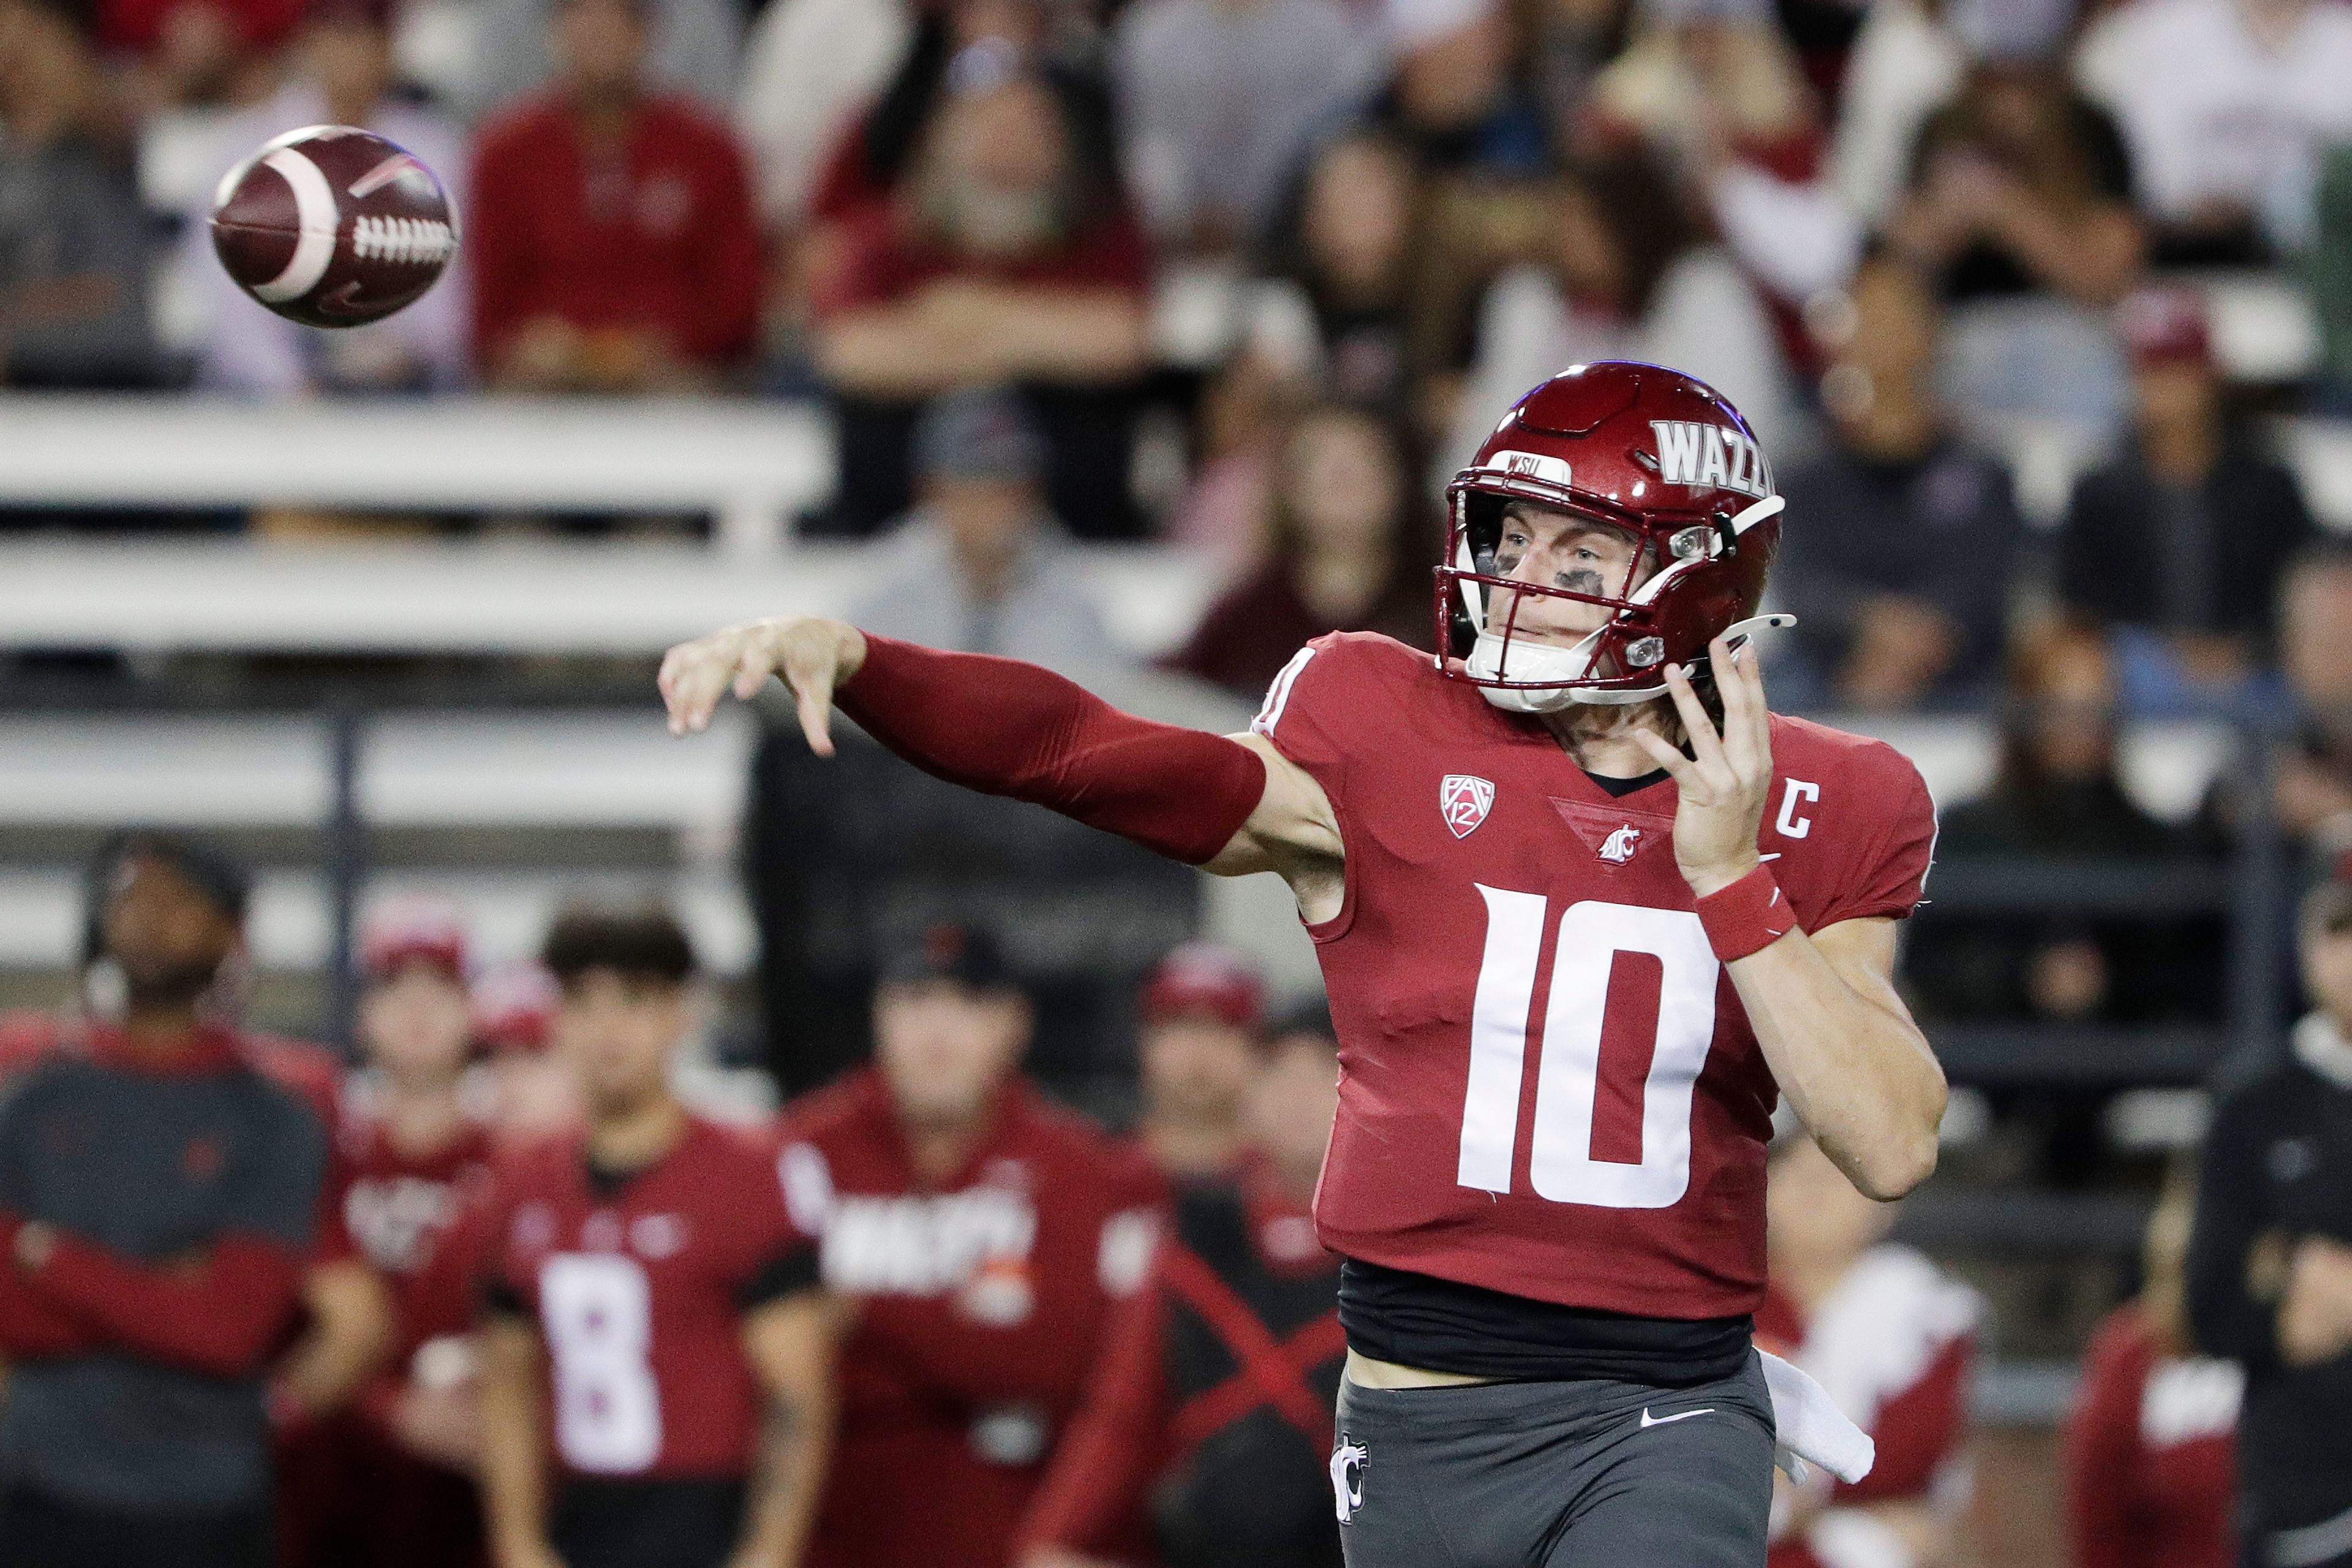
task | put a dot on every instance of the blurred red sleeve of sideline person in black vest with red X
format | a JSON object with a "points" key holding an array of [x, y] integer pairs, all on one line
{"points": [[1116, 1440]]}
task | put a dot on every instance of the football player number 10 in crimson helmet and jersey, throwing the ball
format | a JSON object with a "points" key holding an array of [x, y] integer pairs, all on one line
{"points": [[1584, 913]]}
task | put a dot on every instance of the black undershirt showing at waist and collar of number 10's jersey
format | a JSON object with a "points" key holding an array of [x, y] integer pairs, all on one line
{"points": [[1445, 1327]]}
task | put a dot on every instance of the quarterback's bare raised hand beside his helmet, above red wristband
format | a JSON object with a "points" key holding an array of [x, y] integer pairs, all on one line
{"points": [[1728, 775]]}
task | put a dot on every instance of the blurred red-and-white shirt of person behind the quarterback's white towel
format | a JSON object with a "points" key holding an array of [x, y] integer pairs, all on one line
{"points": [[1892, 1343]]}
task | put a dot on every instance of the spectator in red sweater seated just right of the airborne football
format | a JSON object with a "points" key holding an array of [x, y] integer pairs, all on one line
{"points": [[613, 236]]}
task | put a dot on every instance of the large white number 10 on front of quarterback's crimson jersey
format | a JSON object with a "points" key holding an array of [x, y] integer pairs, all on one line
{"points": [[1676, 989]]}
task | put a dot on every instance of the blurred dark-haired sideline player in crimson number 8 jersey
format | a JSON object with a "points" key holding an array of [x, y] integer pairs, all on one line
{"points": [[657, 1367]]}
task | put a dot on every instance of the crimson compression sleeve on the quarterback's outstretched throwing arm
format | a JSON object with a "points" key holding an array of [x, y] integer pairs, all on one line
{"points": [[1003, 728]]}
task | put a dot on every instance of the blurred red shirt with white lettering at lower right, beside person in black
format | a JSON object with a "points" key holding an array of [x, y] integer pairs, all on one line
{"points": [[2151, 1456]]}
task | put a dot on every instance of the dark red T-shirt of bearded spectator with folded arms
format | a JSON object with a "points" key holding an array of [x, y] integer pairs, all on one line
{"points": [[883, 257]]}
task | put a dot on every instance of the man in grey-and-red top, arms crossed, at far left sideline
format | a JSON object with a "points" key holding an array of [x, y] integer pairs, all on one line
{"points": [[159, 1200]]}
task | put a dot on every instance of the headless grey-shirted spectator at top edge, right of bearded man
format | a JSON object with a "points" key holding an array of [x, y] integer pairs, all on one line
{"points": [[1217, 100]]}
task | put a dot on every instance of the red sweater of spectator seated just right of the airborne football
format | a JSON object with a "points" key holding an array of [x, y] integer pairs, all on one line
{"points": [[650, 234]]}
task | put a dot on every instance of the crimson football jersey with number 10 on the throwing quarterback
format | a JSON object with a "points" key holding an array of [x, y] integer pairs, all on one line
{"points": [[1549, 1085]]}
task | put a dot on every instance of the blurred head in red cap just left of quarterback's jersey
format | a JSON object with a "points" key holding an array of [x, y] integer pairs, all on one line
{"points": [[1198, 1026]]}
